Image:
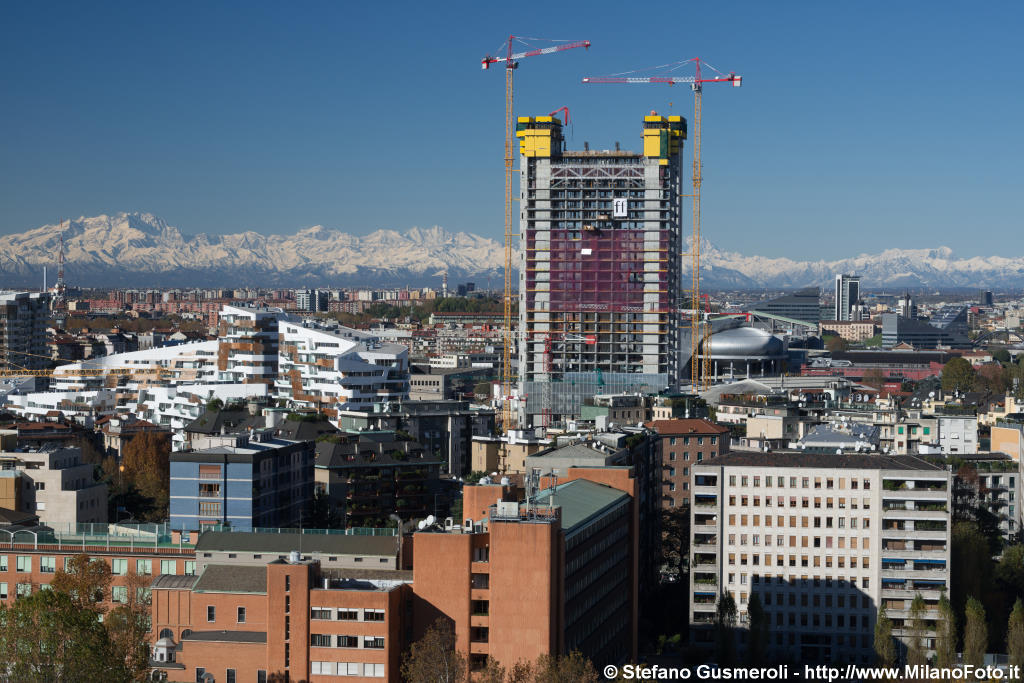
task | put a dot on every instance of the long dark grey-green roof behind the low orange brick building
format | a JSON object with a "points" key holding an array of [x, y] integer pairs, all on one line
{"points": [[332, 544]]}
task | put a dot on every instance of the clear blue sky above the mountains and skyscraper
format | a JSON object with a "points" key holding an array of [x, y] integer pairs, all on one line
{"points": [[861, 126]]}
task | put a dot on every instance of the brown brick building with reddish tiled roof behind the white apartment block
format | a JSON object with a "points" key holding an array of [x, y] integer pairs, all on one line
{"points": [[685, 443]]}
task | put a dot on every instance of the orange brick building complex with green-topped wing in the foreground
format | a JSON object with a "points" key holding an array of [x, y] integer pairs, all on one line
{"points": [[517, 581]]}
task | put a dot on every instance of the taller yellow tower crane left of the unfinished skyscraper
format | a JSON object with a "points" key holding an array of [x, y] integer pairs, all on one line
{"points": [[511, 64]]}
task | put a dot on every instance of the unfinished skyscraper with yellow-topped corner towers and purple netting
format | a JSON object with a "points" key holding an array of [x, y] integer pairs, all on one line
{"points": [[600, 284]]}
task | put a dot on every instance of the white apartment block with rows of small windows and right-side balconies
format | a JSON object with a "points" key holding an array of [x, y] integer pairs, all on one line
{"points": [[824, 541]]}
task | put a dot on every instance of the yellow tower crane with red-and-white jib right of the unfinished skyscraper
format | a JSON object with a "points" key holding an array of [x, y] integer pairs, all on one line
{"points": [[700, 329]]}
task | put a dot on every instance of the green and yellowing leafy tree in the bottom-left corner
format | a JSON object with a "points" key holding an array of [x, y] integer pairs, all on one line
{"points": [[47, 637]]}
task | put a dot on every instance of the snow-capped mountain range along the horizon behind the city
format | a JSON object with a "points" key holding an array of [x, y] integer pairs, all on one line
{"points": [[140, 249]]}
